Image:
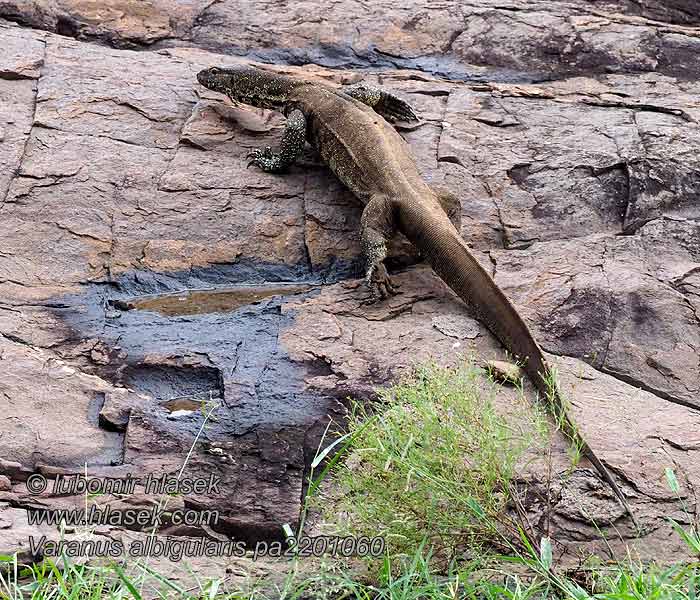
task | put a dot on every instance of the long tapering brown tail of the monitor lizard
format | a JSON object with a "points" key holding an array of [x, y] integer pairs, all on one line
{"points": [[451, 259]]}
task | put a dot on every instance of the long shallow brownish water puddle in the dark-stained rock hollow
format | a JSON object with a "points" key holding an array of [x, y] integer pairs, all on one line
{"points": [[196, 302]]}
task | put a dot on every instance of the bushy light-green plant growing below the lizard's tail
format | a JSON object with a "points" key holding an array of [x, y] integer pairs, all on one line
{"points": [[435, 463]]}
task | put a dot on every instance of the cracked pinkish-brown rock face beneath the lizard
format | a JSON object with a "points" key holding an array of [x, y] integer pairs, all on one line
{"points": [[568, 129]]}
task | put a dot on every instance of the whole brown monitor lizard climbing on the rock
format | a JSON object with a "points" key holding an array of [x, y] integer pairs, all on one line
{"points": [[347, 129]]}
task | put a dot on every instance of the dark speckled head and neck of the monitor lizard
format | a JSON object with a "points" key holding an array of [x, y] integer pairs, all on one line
{"points": [[248, 85]]}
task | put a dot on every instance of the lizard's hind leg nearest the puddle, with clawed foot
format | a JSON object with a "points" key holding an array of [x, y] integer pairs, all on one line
{"points": [[377, 226]]}
